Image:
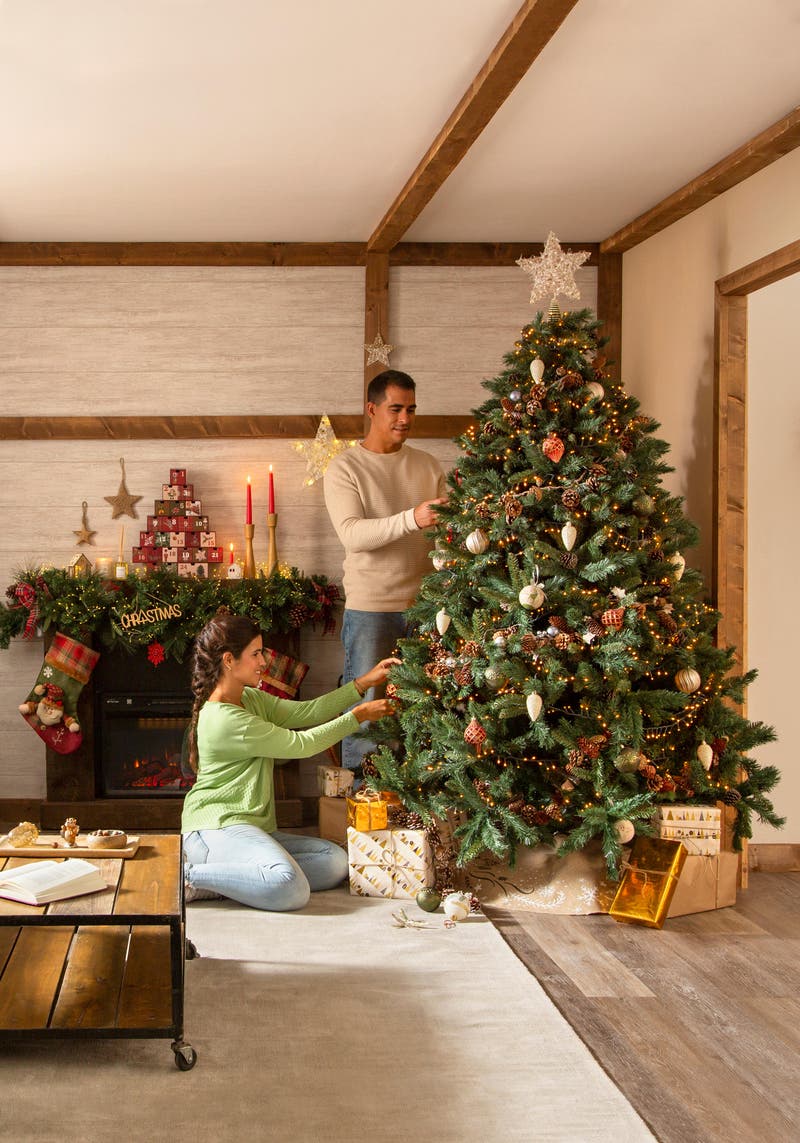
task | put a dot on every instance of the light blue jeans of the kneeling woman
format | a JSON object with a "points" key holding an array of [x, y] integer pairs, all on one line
{"points": [[275, 872]]}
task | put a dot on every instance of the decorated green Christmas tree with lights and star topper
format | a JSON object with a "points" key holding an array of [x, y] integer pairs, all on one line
{"points": [[563, 681]]}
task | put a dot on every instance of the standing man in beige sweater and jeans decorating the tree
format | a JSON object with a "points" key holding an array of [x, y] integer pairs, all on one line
{"points": [[381, 497]]}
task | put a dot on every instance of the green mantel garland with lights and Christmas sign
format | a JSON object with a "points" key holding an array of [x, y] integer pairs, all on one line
{"points": [[169, 610]]}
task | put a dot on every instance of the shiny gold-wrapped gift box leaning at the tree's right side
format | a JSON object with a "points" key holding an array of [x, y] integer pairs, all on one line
{"points": [[649, 883]]}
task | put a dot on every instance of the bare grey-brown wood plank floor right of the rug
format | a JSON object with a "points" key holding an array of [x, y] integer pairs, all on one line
{"points": [[699, 1024]]}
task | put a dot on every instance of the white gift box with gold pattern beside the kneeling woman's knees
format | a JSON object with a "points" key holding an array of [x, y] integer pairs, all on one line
{"points": [[389, 864]]}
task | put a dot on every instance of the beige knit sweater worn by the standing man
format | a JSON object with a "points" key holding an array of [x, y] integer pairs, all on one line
{"points": [[371, 500]]}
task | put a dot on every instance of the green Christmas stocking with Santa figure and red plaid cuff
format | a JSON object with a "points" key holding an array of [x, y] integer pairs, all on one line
{"points": [[52, 706]]}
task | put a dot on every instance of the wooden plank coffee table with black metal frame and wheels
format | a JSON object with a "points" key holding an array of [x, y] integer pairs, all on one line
{"points": [[108, 964]]}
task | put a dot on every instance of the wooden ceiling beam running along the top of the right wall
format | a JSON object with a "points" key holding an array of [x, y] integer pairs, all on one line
{"points": [[759, 153]]}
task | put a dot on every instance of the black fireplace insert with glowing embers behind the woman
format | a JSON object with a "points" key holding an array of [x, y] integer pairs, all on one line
{"points": [[140, 748]]}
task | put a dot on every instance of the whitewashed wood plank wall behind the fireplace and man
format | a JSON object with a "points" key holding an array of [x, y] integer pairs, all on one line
{"points": [[213, 340]]}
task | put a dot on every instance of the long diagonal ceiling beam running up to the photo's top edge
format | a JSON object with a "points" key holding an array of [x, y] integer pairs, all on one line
{"points": [[530, 33]]}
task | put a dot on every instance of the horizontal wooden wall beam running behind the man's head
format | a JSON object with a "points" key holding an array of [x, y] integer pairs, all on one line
{"points": [[293, 427]]}
